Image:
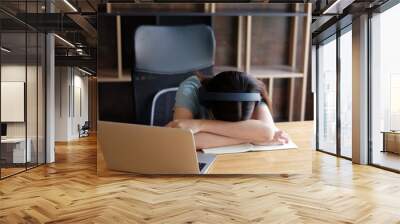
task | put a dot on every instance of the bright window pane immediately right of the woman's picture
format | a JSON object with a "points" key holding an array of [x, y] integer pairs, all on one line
{"points": [[327, 97]]}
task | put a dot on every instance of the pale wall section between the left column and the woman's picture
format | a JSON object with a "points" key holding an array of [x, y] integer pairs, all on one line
{"points": [[71, 94]]}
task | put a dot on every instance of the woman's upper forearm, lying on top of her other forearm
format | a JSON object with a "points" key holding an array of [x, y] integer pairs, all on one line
{"points": [[249, 130]]}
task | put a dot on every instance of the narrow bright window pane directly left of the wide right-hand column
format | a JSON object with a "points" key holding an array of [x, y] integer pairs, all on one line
{"points": [[346, 94]]}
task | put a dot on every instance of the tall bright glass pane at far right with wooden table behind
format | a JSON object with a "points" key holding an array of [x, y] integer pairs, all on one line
{"points": [[385, 84]]}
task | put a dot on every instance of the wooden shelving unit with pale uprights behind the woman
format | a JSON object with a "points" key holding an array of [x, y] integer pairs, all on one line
{"points": [[292, 71]]}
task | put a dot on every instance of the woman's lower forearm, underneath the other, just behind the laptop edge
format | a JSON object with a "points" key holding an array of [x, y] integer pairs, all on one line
{"points": [[208, 140]]}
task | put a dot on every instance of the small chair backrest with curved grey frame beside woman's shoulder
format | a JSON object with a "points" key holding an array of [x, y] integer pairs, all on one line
{"points": [[162, 107]]}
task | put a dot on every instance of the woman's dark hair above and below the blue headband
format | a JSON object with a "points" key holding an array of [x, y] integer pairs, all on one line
{"points": [[239, 82]]}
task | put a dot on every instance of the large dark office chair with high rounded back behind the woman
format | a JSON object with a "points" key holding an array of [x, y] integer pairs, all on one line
{"points": [[164, 57]]}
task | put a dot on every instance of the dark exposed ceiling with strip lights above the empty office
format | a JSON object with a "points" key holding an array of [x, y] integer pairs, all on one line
{"points": [[76, 20]]}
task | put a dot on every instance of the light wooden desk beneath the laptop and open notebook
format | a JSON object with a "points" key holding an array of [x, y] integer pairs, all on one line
{"points": [[292, 161]]}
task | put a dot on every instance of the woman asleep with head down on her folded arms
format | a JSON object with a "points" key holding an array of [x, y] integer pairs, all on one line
{"points": [[222, 123]]}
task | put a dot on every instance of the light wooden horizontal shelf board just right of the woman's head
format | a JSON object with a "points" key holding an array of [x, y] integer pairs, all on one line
{"points": [[277, 72]]}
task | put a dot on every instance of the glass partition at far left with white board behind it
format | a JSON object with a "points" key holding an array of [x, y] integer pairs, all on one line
{"points": [[22, 87]]}
